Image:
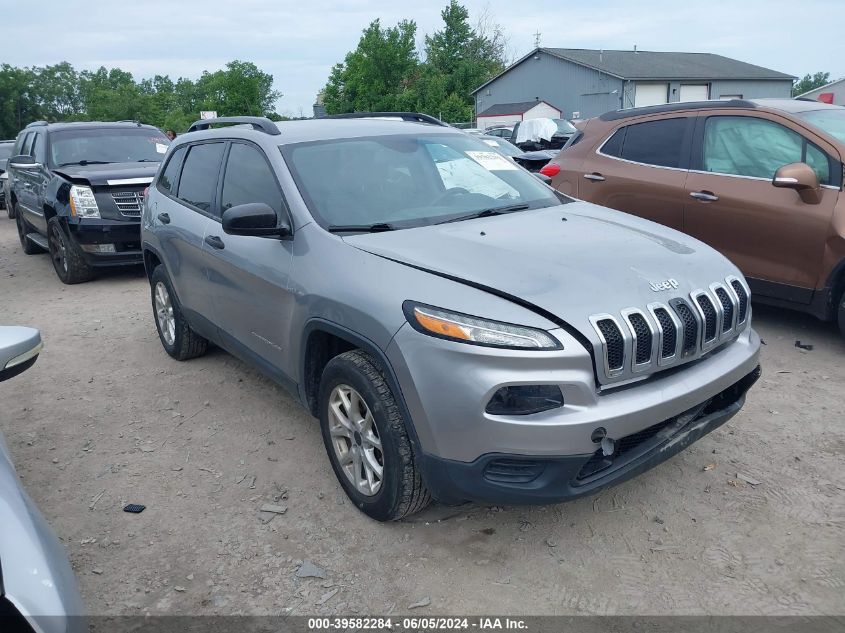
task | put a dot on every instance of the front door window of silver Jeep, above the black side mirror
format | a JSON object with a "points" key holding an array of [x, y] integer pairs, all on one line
{"points": [[248, 179]]}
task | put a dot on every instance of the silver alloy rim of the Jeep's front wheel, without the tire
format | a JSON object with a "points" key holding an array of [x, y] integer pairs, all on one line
{"points": [[355, 439]]}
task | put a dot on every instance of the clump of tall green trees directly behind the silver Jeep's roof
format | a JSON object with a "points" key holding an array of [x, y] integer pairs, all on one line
{"points": [[384, 72]]}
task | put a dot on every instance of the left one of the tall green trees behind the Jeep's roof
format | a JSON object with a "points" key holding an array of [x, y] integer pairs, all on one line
{"points": [[376, 73]]}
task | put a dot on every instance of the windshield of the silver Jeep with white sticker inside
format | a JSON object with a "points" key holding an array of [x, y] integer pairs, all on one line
{"points": [[406, 181]]}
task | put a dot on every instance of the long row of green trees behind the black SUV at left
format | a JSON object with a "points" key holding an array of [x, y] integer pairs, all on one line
{"points": [[60, 93]]}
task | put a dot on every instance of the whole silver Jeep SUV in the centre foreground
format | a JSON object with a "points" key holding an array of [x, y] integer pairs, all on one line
{"points": [[461, 330]]}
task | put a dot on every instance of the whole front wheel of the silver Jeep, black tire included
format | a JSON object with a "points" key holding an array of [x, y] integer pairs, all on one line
{"points": [[401, 490]]}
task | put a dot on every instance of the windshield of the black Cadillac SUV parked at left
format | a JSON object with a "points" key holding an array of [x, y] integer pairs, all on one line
{"points": [[107, 145]]}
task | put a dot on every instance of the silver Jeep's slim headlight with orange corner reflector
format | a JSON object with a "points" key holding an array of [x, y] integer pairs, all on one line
{"points": [[455, 326]]}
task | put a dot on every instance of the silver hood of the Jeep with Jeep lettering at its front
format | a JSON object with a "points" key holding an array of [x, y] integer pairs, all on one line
{"points": [[572, 261]]}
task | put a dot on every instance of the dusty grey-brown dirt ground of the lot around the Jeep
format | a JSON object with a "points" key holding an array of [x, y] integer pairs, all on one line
{"points": [[105, 418]]}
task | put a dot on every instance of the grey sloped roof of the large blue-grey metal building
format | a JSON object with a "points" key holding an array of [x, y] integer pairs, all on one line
{"points": [[656, 65]]}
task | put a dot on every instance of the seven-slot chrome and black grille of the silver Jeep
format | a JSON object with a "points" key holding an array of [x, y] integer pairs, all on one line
{"points": [[666, 334]]}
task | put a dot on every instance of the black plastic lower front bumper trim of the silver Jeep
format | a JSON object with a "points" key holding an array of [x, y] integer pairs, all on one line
{"points": [[558, 480]]}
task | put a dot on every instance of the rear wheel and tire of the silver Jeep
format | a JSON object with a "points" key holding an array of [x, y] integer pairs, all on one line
{"points": [[176, 336]]}
